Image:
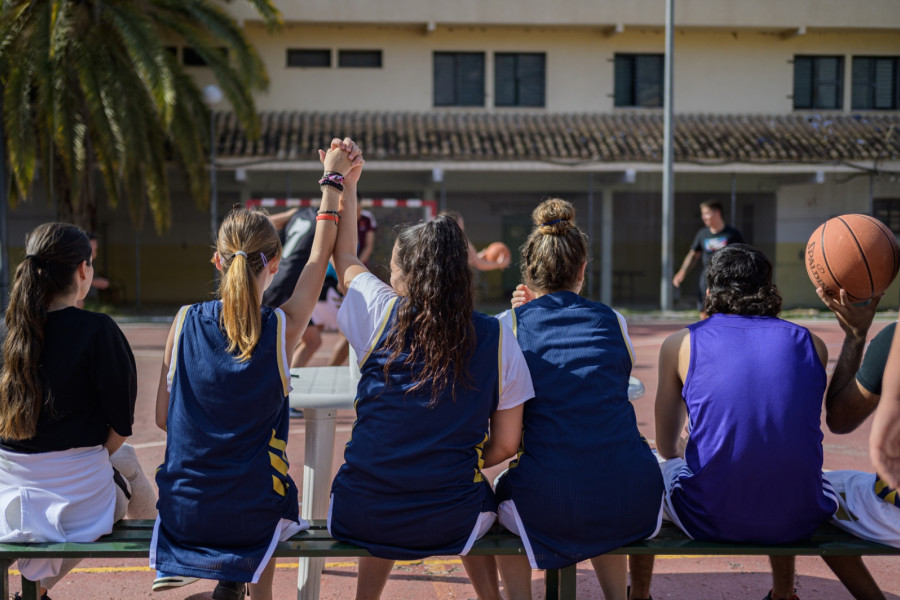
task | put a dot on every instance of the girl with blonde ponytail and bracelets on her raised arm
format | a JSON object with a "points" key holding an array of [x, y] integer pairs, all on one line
{"points": [[225, 494]]}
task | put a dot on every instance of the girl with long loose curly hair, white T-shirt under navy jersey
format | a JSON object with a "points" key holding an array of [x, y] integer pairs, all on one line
{"points": [[436, 379]]}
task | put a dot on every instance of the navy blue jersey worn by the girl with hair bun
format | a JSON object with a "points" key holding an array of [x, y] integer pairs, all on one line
{"points": [[585, 481]]}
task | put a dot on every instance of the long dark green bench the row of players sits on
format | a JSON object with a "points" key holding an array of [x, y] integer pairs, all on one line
{"points": [[131, 539]]}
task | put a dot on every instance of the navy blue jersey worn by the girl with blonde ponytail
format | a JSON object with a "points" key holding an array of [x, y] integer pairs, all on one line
{"points": [[224, 485]]}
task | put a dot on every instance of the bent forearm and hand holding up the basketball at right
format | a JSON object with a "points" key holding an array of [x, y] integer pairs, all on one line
{"points": [[847, 402]]}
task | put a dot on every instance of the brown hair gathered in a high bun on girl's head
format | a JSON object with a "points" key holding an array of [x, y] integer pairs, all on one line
{"points": [[554, 252]]}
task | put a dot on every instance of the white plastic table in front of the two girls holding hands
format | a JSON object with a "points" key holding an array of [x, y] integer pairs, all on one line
{"points": [[319, 392]]}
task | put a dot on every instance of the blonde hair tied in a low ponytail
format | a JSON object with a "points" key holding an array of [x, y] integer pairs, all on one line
{"points": [[247, 242]]}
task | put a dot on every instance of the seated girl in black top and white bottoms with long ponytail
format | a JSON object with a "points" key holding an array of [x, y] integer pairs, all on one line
{"points": [[68, 386]]}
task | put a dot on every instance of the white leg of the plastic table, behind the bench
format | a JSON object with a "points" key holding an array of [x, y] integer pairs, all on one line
{"points": [[316, 487]]}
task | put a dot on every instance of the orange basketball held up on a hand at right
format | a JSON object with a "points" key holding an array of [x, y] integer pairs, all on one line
{"points": [[855, 252]]}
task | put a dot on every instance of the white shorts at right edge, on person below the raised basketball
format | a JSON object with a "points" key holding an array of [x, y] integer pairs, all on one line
{"points": [[861, 512]]}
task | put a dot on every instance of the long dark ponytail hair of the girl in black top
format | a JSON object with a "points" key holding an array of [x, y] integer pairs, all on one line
{"points": [[54, 251]]}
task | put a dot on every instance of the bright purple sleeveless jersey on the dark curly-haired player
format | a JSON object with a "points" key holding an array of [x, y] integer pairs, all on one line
{"points": [[754, 457]]}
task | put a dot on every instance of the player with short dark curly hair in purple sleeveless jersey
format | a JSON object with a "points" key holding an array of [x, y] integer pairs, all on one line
{"points": [[748, 411]]}
